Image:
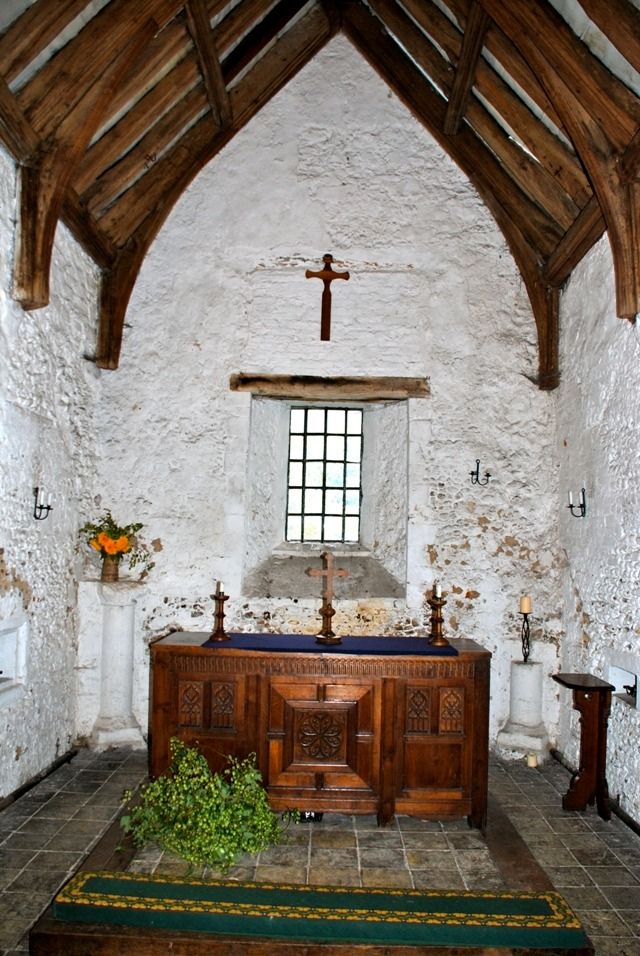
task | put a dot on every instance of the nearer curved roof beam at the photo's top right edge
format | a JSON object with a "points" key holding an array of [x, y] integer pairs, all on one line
{"points": [[595, 135]]}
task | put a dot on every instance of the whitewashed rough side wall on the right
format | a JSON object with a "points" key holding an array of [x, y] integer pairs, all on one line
{"points": [[598, 426]]}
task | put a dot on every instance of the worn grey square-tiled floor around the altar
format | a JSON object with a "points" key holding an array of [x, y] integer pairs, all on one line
{"points": [[48, 832]]}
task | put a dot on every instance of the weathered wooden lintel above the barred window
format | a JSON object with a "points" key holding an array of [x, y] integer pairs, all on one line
{"points": [[321, 388]]}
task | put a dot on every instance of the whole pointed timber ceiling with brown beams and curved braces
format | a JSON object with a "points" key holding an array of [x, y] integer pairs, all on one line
{"points": [[111, 108]]}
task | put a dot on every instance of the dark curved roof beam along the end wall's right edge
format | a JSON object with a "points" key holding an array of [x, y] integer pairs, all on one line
{"points": [[503, 199]]}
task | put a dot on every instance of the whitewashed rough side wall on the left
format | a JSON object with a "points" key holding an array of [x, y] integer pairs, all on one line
{"points": [[47, 394]]}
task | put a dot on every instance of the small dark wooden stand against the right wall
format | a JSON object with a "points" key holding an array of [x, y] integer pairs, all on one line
{"points": [[592, 698]]}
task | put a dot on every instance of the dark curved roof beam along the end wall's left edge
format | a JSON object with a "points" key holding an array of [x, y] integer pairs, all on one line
{"points": [[175, 170]]}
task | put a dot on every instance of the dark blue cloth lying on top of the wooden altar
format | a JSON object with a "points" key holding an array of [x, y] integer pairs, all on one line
{"points": [[306, 644]]}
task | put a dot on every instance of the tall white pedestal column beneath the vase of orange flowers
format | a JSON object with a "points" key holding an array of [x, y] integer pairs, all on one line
{"points": [[116, 724]]}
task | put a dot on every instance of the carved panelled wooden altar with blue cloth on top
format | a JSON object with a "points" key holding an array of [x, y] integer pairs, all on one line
{"points": [[375, 725]]}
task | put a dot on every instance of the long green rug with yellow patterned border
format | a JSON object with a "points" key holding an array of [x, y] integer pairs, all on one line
{"points": [[323, 913]]}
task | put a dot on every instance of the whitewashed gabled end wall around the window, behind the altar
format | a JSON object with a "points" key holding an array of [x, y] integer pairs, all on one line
{"points": [[336, 164]]}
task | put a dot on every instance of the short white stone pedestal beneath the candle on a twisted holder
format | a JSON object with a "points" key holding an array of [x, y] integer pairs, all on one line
{"points": [[525, 733]]}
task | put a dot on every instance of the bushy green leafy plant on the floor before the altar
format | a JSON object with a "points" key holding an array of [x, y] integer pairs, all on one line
{"points": [[204, 817]]}
